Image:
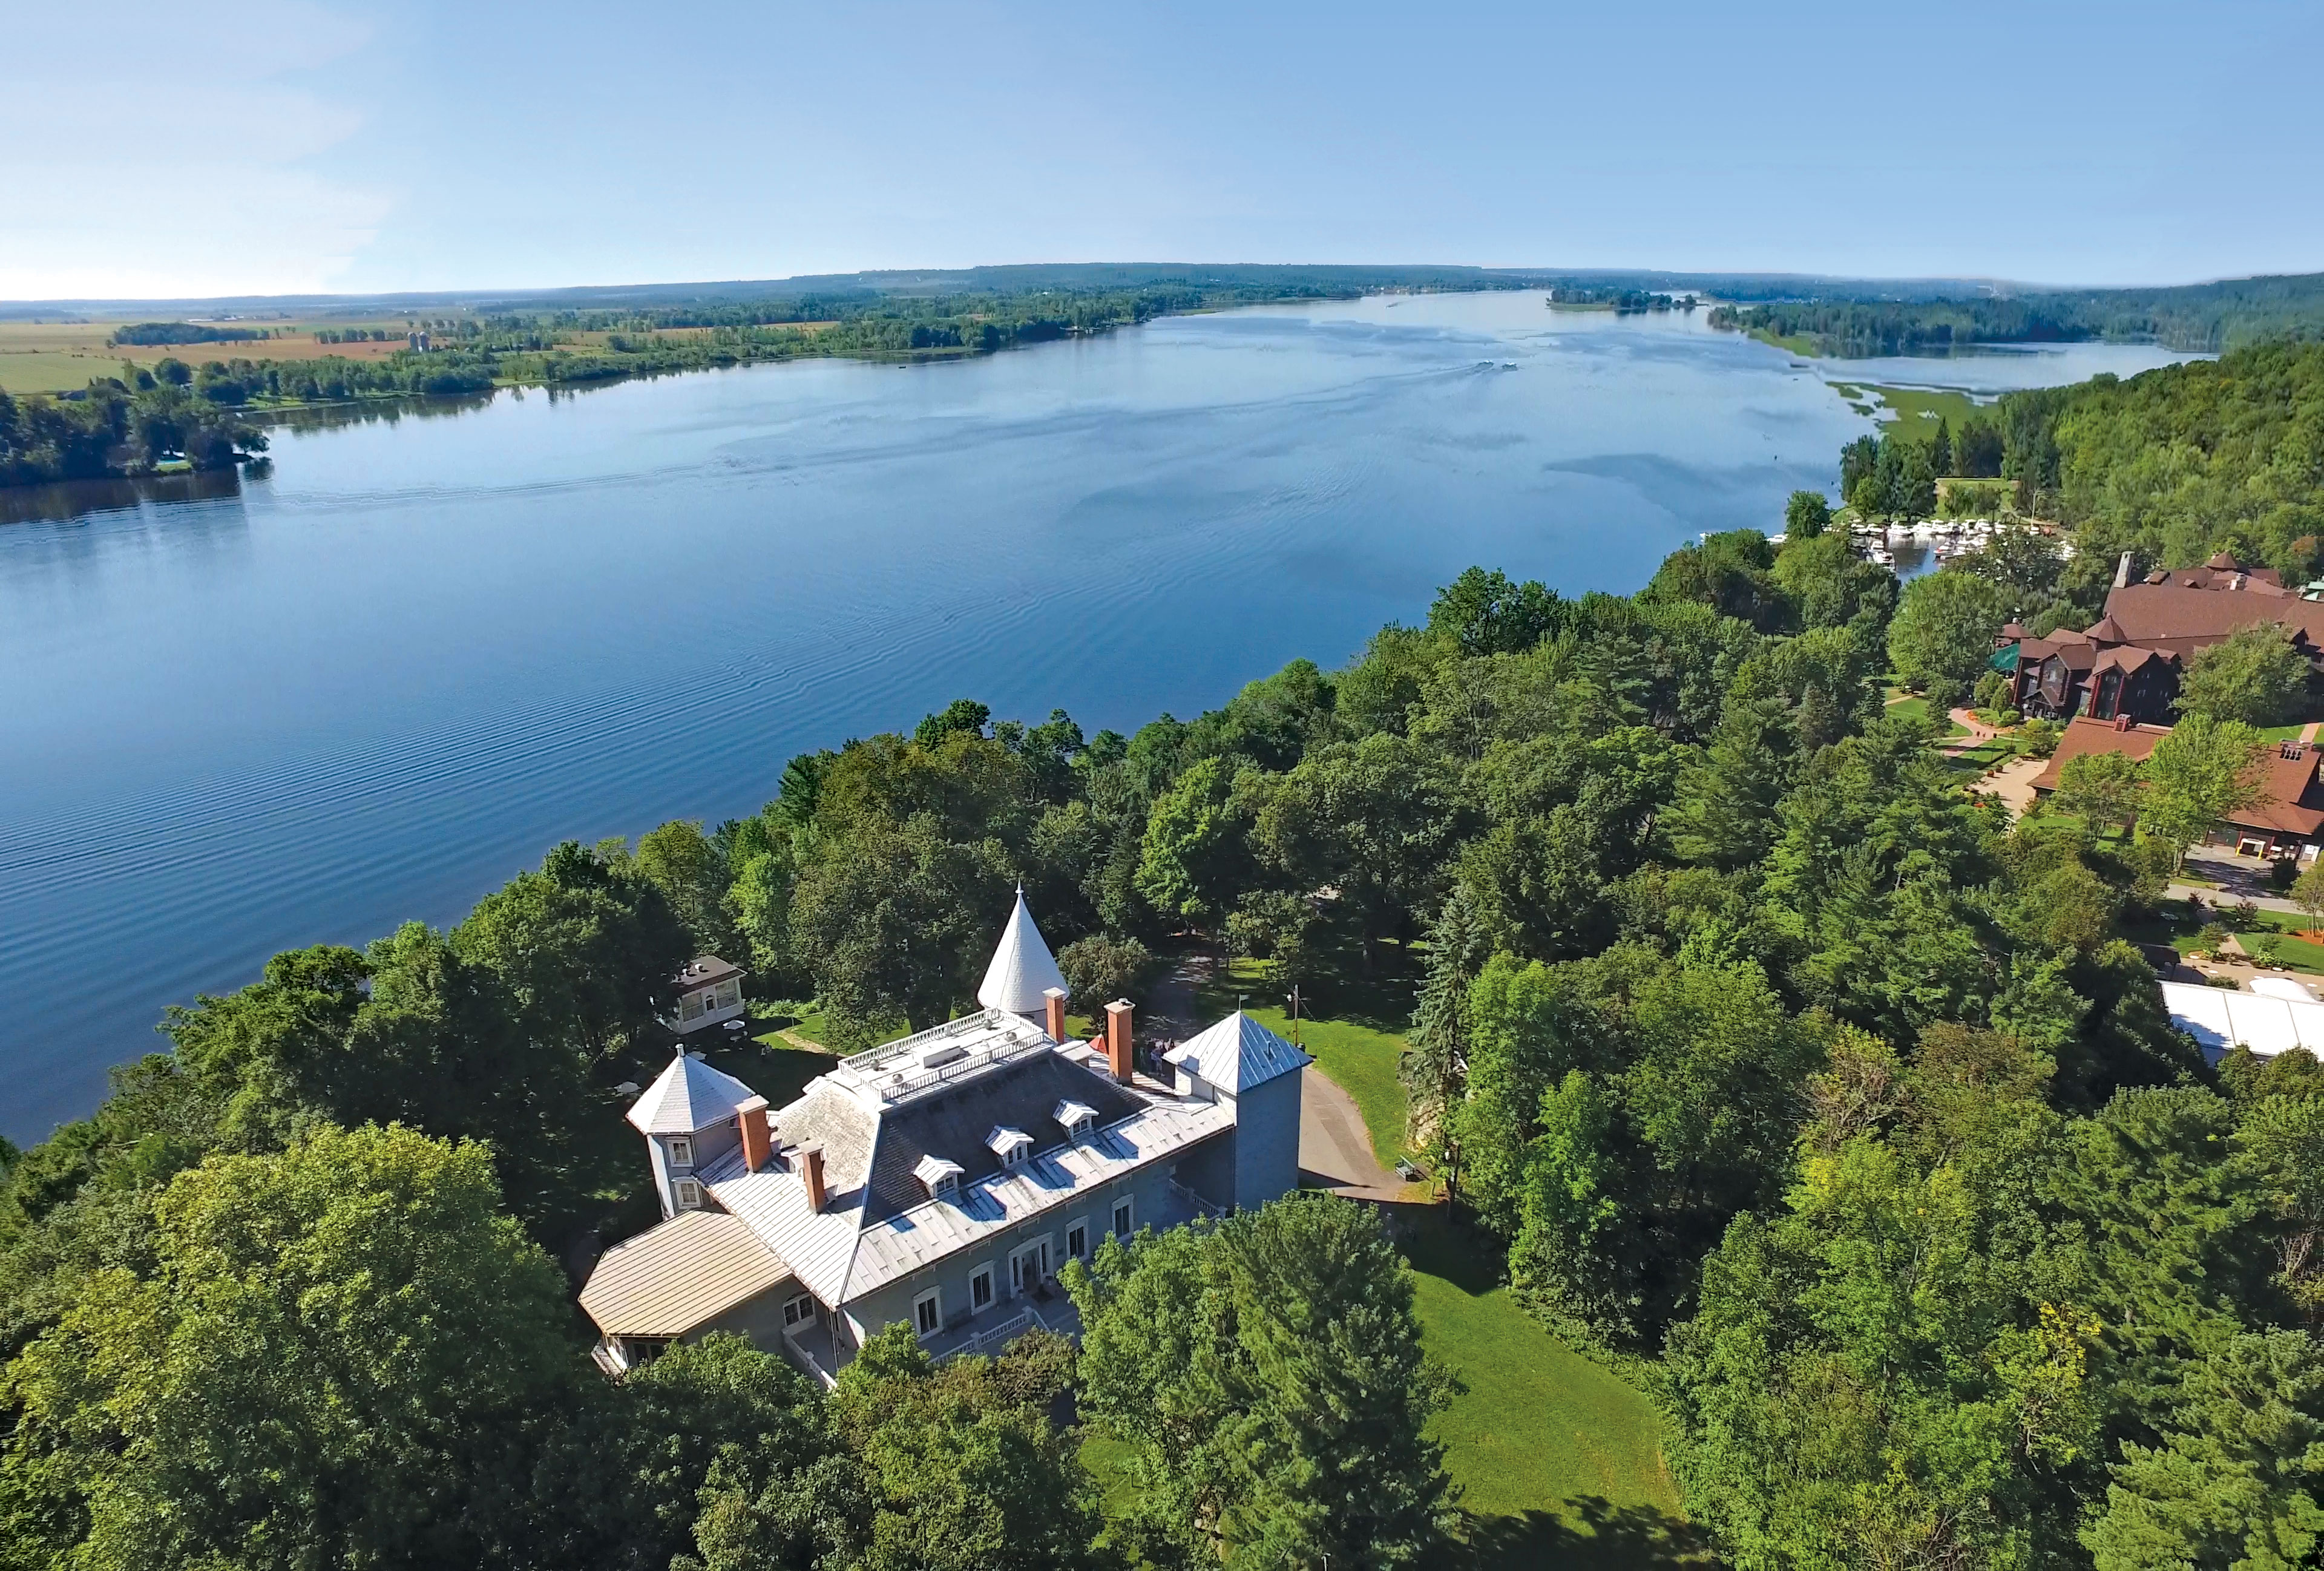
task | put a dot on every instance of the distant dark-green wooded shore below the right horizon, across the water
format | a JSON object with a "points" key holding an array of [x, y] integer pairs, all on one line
{"points": [[2193, 317]]}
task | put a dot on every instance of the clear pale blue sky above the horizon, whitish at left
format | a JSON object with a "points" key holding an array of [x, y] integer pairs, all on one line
{"points": [[162, 148]]}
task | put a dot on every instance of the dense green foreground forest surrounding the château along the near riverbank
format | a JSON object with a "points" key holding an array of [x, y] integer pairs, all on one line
{"points": [[1814, 1091]]}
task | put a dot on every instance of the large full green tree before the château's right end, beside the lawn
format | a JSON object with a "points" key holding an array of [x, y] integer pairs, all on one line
{"points": [[1270, 1382]]}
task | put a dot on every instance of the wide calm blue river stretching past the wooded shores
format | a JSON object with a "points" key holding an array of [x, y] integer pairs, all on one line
{"points": [[382, 680]]}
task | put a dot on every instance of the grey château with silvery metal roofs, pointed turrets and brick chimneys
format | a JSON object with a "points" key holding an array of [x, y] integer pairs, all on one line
{"points": [[942, 1179]]}
